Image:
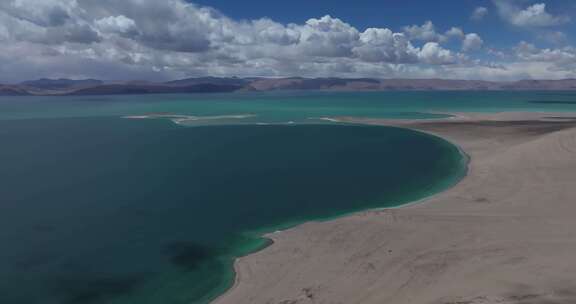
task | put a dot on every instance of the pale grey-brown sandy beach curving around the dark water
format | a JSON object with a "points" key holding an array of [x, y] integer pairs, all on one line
{"points": [[505, 234]]}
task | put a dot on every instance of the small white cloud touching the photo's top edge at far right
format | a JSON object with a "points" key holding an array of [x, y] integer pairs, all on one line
{"points": [[534, 15]]}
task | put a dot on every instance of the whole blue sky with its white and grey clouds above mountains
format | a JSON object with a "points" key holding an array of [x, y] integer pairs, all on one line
{"points": [[171, 39]]}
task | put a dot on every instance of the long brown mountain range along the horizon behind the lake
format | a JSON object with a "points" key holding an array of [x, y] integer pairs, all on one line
{"points": [[234, 84]]}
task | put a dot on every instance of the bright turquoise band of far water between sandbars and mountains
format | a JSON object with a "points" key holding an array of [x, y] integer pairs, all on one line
{"points": [[283, 107]]}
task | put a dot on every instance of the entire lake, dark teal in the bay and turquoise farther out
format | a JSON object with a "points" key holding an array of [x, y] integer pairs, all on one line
{"points": [[101, 209]]}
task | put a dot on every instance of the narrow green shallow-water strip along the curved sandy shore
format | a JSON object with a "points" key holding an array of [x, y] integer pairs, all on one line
{"points": [[267, 241]]}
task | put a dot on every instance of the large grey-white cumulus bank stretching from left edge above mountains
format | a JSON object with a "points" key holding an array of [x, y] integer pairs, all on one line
{"points": [[150, 39]]}
